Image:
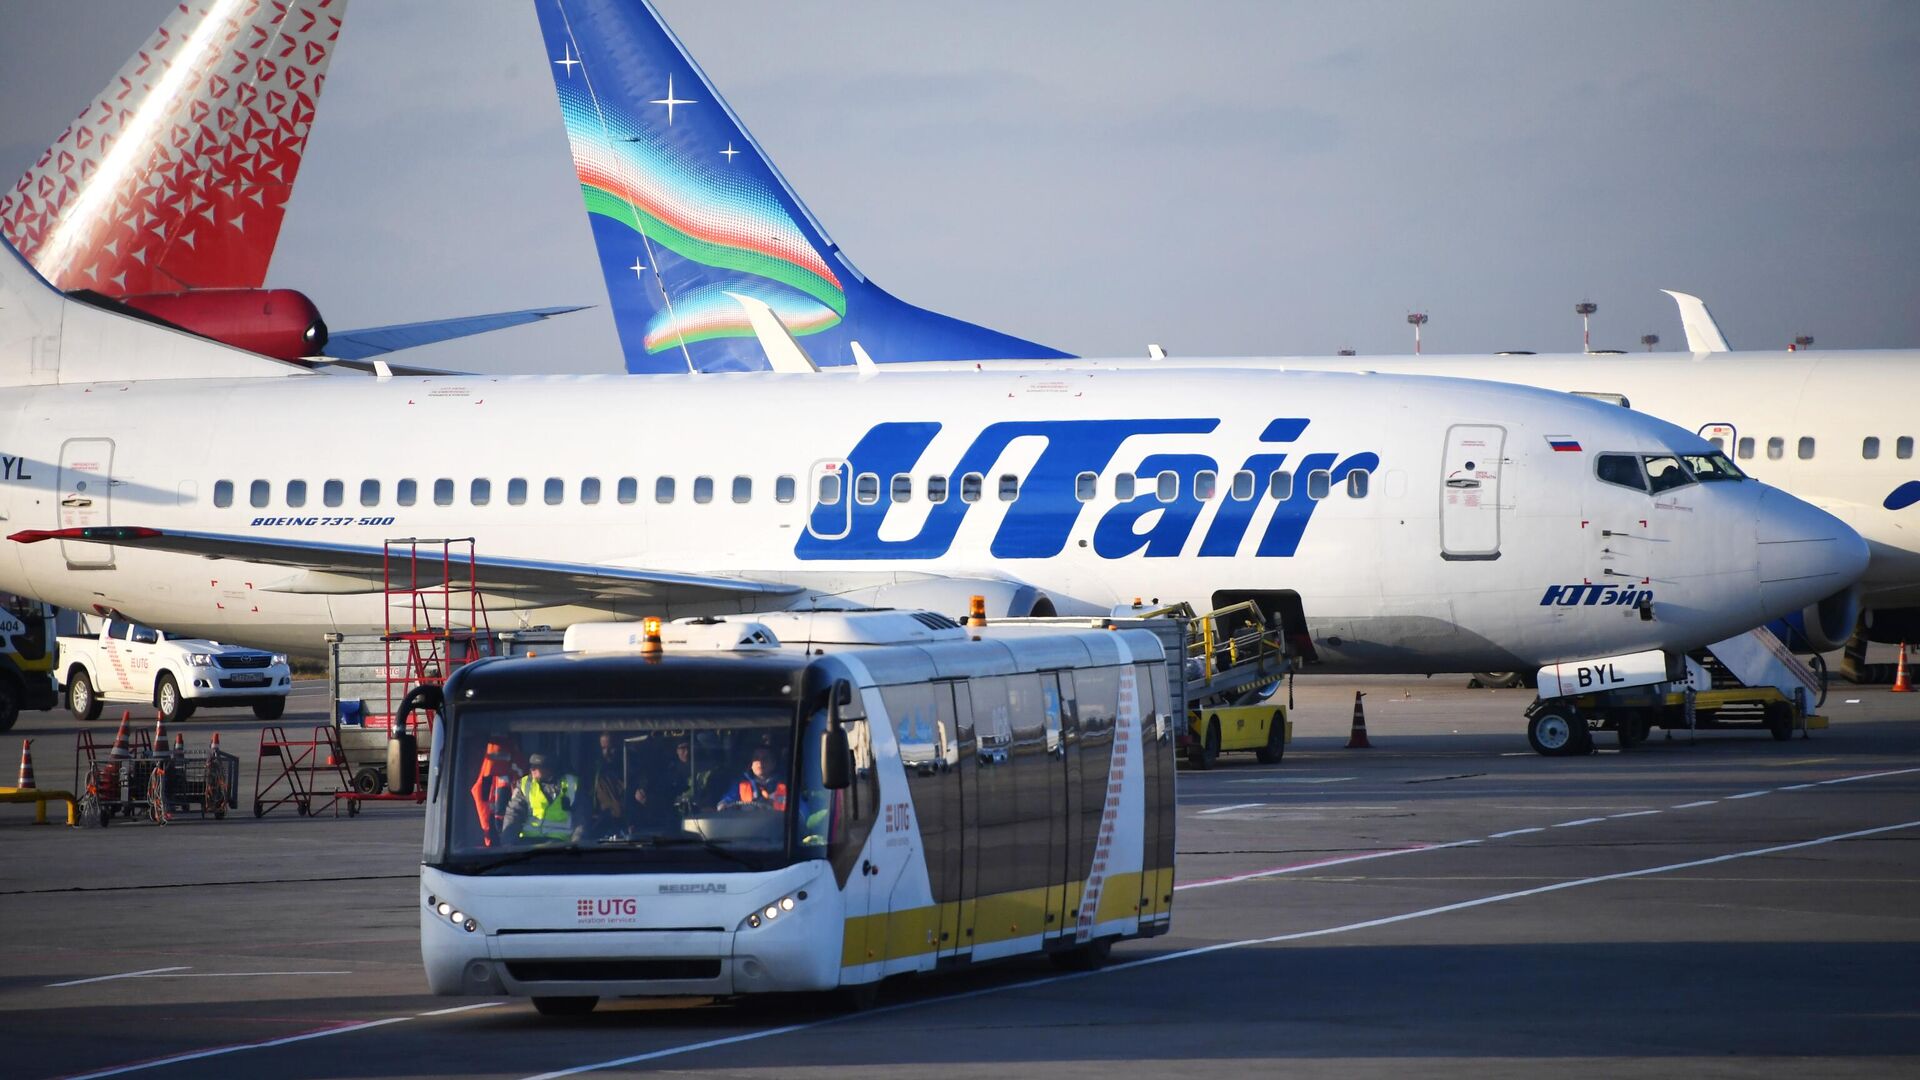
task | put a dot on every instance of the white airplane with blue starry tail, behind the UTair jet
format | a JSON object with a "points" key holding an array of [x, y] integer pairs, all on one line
{"points": [[1833, 430]]}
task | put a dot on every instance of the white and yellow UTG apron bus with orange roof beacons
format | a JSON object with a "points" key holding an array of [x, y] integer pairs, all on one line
{"points": [[853, 797]]}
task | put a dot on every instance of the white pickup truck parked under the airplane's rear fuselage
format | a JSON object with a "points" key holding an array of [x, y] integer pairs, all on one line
{"points": [[141, 666]]}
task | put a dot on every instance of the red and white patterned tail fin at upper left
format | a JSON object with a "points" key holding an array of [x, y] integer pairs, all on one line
{"points": [[178, 174]]}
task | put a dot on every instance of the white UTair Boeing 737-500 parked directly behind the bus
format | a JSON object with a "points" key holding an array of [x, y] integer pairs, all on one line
{"points": [[1399, 524]]}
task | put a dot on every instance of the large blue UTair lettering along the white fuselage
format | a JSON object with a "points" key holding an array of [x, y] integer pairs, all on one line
{"points": [[1040, 520]]}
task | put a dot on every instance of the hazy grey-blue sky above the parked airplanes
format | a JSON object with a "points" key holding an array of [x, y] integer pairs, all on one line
{"points": [[1226, 178]]}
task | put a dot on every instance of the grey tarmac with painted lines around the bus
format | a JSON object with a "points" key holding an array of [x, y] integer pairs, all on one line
{"points": [[1447, 904]]}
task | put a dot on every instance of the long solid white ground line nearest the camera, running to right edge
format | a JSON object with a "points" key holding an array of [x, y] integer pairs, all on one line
{"points": [[1224, 946]]}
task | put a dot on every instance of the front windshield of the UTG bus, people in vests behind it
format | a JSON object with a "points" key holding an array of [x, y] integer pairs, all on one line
{"points": [[627, 789]]}
